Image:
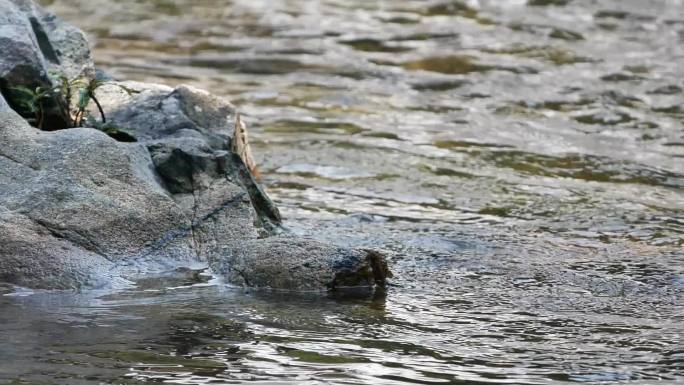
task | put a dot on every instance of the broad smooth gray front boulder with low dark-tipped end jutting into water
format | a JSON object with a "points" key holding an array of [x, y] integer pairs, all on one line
{"points": [[79, 209]]}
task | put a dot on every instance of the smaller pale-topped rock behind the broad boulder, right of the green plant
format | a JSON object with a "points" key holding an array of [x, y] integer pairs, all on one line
{"points": [[185, 129]]}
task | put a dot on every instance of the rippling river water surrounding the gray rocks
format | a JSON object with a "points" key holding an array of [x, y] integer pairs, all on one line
{"points": [[521, 162]]}
